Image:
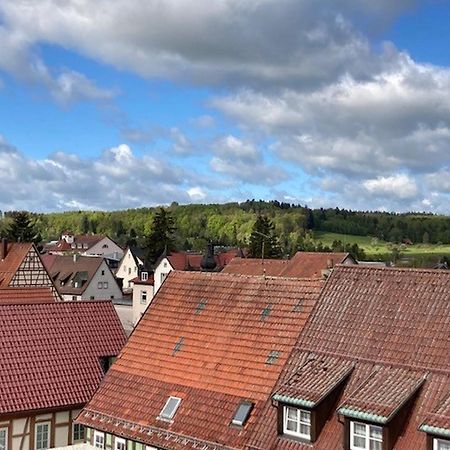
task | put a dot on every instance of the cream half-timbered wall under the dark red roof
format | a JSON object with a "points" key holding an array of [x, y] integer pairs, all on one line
{"points": [[22, 430]]}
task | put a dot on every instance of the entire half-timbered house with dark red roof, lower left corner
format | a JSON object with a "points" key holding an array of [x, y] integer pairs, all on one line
{"points": [[54, 356]]}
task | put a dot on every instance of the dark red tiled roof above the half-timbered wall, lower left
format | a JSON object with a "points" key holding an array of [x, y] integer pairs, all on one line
{"points": [[50, 353]]}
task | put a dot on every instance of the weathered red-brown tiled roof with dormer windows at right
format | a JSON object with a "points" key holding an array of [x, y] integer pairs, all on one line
{"points": [[394, 326]]}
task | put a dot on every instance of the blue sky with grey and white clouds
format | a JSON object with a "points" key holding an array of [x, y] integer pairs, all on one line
{"points": [[112, 105]]}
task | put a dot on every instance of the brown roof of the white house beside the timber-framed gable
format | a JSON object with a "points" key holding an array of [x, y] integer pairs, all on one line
{"points": [[65, 271]]}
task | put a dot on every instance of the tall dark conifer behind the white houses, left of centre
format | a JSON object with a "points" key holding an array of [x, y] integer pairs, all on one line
{"points": [[161, 237]]}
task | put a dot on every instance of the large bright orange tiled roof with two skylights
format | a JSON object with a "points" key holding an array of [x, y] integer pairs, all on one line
{"points": [[211, 339]]}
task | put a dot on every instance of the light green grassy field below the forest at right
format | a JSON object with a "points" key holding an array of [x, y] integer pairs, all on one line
{"points": [[376, 248]]}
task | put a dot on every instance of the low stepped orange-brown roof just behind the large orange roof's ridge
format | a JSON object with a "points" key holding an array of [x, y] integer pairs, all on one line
{"points": [[301, 265]]}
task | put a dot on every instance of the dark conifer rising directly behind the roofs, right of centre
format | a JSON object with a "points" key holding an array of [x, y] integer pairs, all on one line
{"points": [[263, 237]]}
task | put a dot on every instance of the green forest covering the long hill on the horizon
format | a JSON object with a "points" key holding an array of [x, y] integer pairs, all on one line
{"points": [[231, 224]]}
